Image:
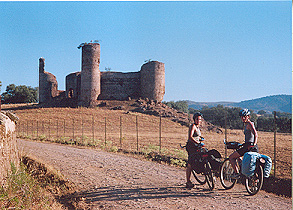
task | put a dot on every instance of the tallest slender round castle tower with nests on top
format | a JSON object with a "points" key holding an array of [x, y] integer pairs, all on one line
{"points": [[90, 74]]}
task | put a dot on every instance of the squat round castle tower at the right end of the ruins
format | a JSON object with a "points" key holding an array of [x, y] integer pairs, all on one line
{"points": [[152, 80]]}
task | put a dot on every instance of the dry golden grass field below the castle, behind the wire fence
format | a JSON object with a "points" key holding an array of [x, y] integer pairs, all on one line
{"points": [[86, 126]]}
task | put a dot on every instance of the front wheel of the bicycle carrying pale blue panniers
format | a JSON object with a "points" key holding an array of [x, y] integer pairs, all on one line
{"points": [[225, 175]]}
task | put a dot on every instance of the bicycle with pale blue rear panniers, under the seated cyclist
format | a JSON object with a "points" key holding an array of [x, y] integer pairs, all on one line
{"points": [[253, 183]]}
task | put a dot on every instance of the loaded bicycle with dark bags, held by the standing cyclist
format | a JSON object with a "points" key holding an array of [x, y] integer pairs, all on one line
{"points": [[203, 171]]}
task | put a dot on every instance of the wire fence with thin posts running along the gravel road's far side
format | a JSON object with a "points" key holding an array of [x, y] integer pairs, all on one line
{"points": [[128, 132]]}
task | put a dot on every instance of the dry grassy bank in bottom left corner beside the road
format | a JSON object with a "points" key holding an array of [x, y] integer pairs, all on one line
{"points": [[32, 186]]}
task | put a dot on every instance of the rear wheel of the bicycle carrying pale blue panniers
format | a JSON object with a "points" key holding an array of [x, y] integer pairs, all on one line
{"points": [[254, 183]]}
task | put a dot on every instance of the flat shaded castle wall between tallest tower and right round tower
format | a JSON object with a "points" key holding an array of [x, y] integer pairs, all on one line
{"points": [[119, 86]]}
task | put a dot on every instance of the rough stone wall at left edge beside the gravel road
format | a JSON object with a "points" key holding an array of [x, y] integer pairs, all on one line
{"points": [[8, 148]]}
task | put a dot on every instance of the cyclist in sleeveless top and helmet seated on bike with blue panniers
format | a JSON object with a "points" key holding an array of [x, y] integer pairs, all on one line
{"points": [[250, 141]]}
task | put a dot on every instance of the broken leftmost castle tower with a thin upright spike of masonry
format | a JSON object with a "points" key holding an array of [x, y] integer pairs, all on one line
{"points": [[48, 86]]}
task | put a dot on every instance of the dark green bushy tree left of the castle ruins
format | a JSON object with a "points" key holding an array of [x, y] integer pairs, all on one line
{"points": [[19, 94]]}
